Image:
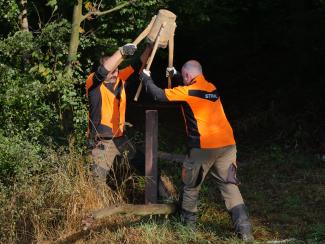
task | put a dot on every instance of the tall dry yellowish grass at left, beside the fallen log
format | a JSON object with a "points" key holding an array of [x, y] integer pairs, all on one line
{"points": [[51, 202]]}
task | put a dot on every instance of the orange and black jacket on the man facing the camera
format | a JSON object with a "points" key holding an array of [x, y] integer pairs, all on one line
{"points": [[107, 101]]}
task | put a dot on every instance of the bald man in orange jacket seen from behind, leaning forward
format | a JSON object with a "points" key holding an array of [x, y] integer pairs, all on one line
{"points": [[211, 144]]}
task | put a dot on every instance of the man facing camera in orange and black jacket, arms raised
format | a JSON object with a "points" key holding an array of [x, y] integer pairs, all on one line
{"points": [[105, 89]]}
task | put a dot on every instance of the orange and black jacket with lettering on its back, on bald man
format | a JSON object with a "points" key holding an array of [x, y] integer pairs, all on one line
{"points": [[206, 122]]}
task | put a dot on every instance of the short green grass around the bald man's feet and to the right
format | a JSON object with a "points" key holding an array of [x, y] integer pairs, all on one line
{"points": [[283, 191]]}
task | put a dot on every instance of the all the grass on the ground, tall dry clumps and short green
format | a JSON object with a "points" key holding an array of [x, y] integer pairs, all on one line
{"points": [[285, 194]]}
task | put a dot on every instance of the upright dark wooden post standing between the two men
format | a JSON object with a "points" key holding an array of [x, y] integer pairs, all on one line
{"points": [[151, 186]]}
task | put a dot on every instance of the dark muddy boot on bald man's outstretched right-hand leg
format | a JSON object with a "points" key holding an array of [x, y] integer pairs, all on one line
{"points": [[241, 222]]}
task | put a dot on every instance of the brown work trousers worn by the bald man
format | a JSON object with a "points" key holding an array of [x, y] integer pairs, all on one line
{"points": [[221, 162]]}
